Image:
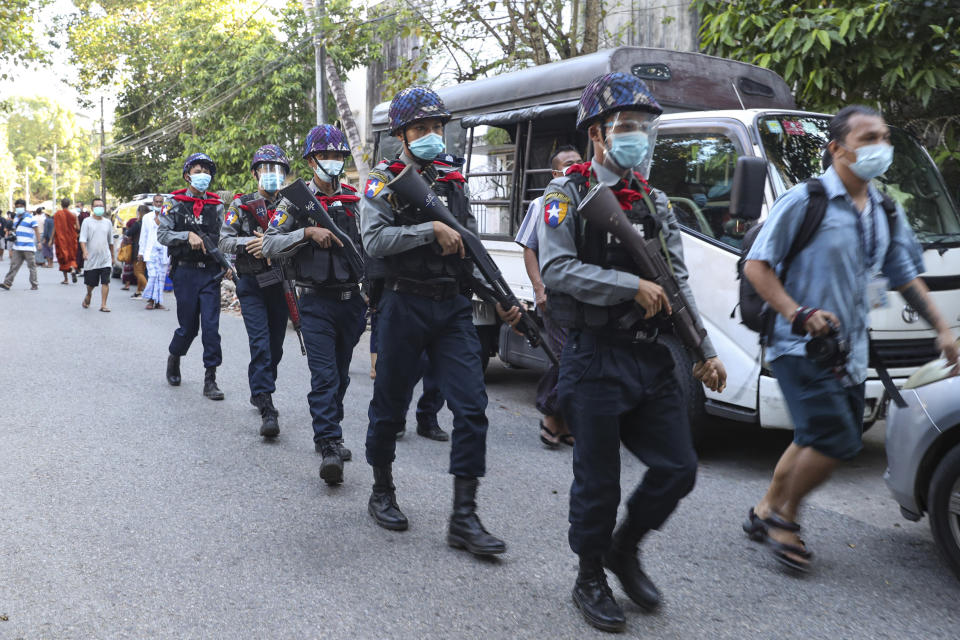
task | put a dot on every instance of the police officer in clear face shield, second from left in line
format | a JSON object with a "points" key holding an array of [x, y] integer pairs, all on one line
{"points": [[259, 283]]}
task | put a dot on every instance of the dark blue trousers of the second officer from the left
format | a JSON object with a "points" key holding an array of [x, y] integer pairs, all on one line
{"points": [[265, 317]]}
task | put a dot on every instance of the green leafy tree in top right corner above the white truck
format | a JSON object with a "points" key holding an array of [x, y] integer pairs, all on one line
{"points": [[902, 56]]}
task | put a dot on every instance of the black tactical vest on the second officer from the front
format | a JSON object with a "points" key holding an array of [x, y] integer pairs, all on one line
{"points": [[426, 262]]}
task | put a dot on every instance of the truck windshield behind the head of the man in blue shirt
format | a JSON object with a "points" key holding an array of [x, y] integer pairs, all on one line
{"points": [[794, 145]]}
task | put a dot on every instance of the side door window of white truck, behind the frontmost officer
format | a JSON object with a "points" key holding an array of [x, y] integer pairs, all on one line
{"points": [[695, 170]]}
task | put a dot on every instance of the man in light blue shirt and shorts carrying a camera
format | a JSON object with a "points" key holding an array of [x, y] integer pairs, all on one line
{"points": [[845, 270]]}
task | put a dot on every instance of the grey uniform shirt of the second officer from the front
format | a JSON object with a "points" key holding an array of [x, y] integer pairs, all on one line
{"points": [[380, 236]]}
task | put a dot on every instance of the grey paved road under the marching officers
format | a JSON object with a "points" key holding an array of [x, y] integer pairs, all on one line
{"points": [[130, 509]]}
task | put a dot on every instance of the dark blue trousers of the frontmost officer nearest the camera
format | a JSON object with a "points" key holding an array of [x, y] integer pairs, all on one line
{"points": [[611, 393]]}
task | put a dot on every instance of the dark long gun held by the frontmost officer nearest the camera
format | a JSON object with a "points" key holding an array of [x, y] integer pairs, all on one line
{"points": [[601, 208]]}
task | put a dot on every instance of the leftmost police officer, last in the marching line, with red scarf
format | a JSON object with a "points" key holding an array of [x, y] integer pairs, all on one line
{"points": [[195, 212]]}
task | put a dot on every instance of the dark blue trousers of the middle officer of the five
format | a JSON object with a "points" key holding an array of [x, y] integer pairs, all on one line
{"points": [[331, 328]]}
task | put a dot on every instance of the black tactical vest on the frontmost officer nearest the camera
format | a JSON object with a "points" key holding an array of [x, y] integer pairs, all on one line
{"points": [[602, 249]]}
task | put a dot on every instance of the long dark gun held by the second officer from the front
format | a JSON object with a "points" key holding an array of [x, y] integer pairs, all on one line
{"points": [[411, 186]]}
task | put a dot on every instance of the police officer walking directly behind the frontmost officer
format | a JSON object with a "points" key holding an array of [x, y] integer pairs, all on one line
{"points": [[424, 308]]}
